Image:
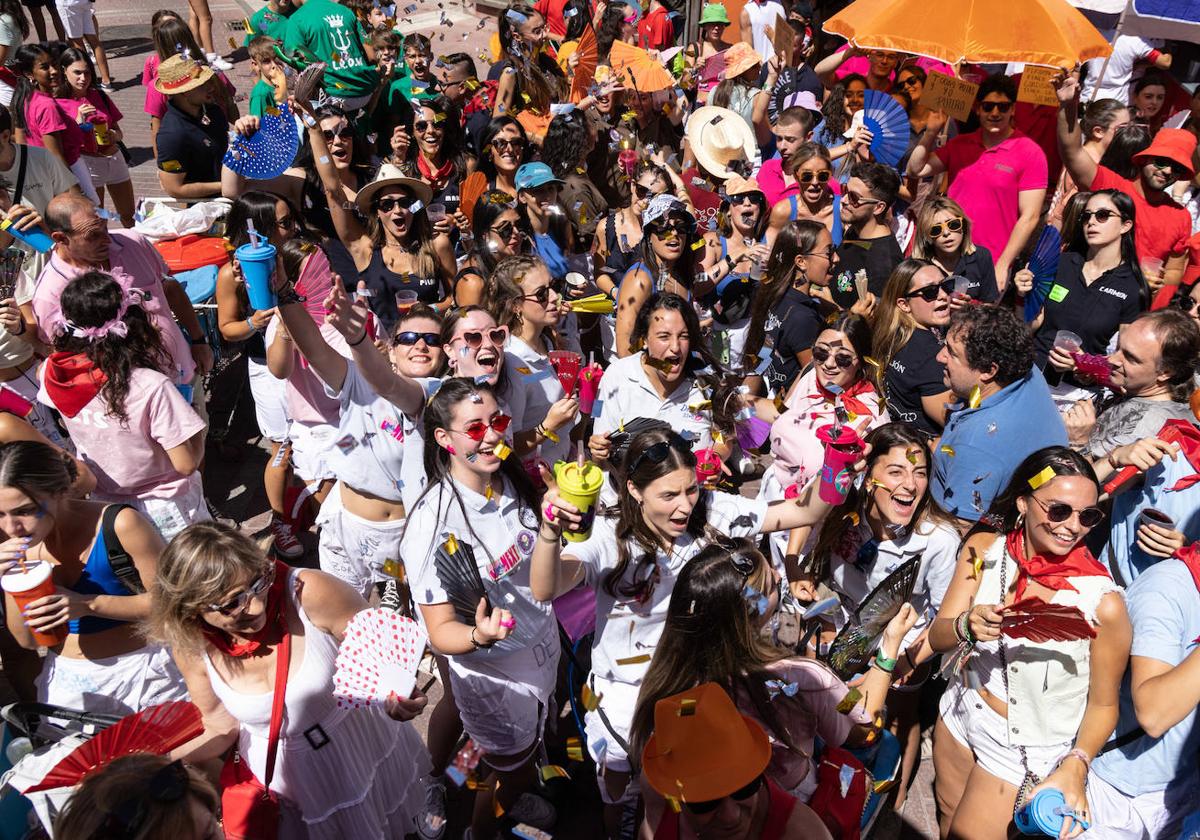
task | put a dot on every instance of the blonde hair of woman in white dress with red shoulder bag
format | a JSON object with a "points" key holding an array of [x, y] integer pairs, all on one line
{"points": [[205, 562]]}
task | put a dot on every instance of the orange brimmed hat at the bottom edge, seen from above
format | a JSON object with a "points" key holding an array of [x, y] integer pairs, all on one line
{"points": [[703, 748]]}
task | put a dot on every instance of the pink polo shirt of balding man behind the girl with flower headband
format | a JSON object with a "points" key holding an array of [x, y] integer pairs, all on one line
{"points": [[136, 265]]}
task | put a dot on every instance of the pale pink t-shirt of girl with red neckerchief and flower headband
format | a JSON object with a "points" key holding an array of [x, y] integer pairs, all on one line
{"points": [[131, 461]]}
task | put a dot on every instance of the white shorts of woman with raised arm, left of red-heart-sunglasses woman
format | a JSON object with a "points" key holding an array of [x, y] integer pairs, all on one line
{"points": [[355, 549]]}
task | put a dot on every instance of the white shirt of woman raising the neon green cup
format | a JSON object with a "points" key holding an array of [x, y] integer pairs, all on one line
{"points": [[628, 631]]}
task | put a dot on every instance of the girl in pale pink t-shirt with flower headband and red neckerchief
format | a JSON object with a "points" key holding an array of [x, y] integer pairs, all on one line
{"points": [[130, 423]]}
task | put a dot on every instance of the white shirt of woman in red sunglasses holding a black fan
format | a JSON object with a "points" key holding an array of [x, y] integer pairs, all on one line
{"points": [[503, 535]]}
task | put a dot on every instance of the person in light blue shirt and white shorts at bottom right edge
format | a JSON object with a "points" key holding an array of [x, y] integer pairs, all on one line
{"points": [[1147, 781]]}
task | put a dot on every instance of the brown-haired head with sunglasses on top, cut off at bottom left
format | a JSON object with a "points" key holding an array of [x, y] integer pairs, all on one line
{"points": [[109, 794]]}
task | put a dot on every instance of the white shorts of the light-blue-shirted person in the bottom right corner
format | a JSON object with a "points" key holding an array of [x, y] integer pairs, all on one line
{"points": [[1159, 814]]}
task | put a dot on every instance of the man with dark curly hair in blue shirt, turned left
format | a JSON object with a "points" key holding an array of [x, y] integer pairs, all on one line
{"points": [[1005, 415]]}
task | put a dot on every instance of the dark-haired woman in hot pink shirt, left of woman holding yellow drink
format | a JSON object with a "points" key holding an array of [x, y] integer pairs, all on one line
{"points": [[39, 118]]}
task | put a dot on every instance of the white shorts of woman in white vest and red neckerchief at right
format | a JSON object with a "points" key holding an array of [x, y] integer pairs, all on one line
{"points": [[975, 725]]}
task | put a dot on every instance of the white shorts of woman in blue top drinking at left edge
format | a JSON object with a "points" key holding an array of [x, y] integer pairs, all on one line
{"points": [[116, 686]]}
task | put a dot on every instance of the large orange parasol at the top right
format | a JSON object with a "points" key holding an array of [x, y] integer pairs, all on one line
{"points": [[1048, 33]]}
